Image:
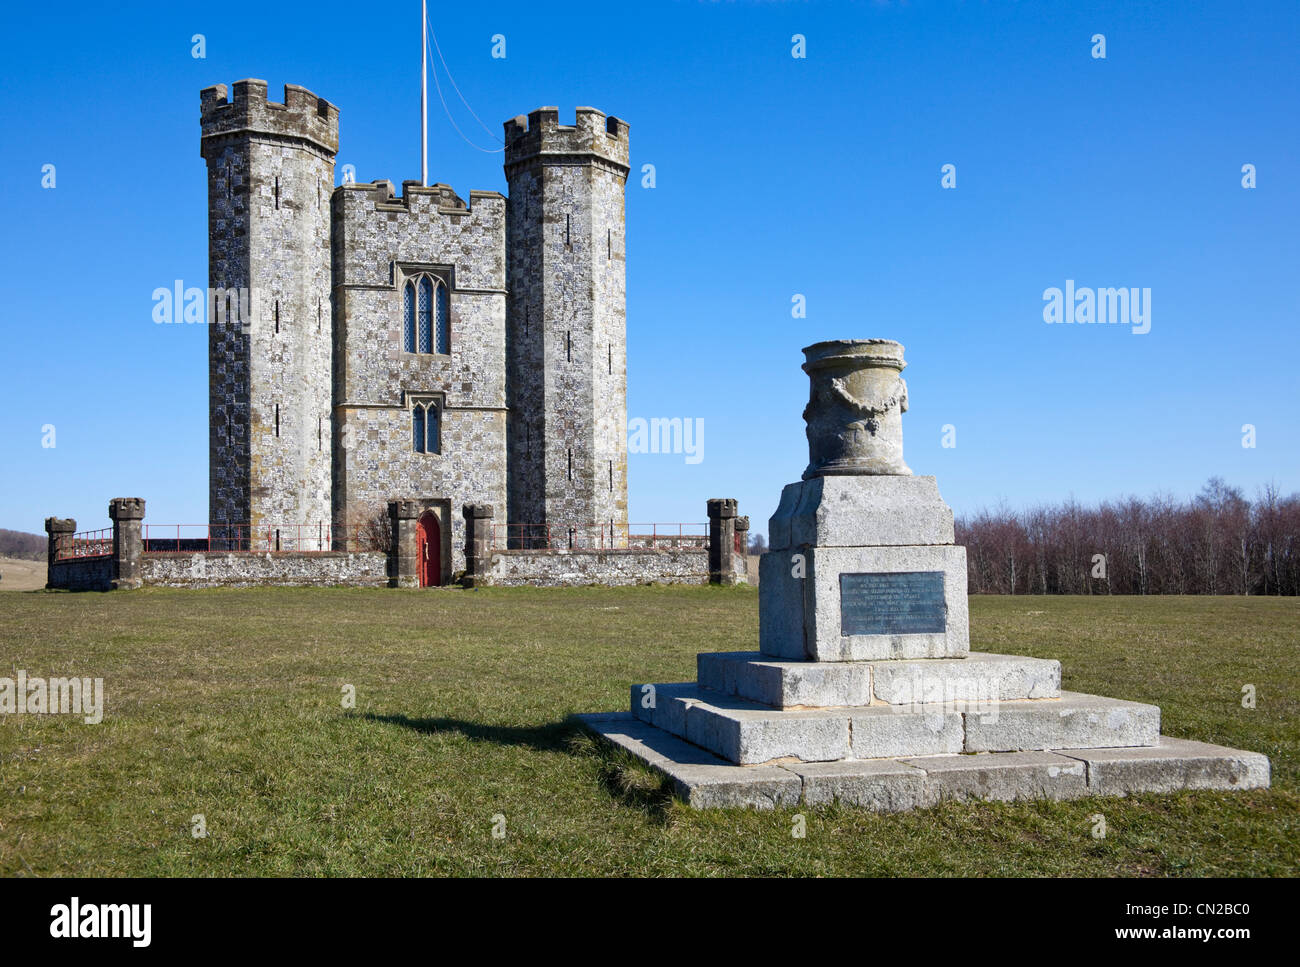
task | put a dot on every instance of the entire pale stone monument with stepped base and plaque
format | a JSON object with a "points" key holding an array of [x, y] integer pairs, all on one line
{"points": [[864, 688]]}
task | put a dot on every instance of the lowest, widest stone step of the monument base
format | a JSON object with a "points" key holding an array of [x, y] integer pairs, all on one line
{"points": [[905, 783]]}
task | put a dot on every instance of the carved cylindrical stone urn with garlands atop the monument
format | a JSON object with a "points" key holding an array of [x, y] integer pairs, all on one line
{"points": [[856, 405]]}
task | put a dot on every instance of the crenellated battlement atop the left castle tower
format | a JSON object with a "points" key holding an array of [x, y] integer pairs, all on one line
{"points": [[302, 116]]}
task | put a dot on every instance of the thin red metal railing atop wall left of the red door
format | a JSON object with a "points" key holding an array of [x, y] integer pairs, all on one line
{"points": [[284, 539]]}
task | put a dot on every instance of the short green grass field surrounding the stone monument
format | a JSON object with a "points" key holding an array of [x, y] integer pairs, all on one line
{"points": [[228, 705]]}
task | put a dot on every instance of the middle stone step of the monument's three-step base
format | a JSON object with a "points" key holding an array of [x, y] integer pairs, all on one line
{"points": [[749, 734]]}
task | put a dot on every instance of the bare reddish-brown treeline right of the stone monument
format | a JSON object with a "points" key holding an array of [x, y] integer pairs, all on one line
{"points": [[1219, 543]]}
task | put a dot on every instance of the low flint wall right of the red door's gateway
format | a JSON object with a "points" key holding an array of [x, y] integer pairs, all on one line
{"points": [[558, 569]]}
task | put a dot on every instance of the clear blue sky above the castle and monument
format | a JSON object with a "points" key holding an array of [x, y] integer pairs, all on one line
{"points": [[775, 176]]}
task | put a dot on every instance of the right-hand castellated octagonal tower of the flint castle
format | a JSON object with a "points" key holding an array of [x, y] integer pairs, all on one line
{"points": [[567, 322]]}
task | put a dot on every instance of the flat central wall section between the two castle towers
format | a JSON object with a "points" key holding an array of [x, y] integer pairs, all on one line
{"points": [[380, 241]]}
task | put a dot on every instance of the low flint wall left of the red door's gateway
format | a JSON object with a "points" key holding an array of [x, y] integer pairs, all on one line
{"points": [[288, 569]]}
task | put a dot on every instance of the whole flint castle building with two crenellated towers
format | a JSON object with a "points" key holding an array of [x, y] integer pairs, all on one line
{"points": [[313, 387]]}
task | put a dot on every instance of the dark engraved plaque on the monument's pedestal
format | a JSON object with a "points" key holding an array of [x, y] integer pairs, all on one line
{"points": [[905, 602]]}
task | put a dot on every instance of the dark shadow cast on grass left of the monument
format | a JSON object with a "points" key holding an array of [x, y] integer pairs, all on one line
{"points": [[621, 775]]}
